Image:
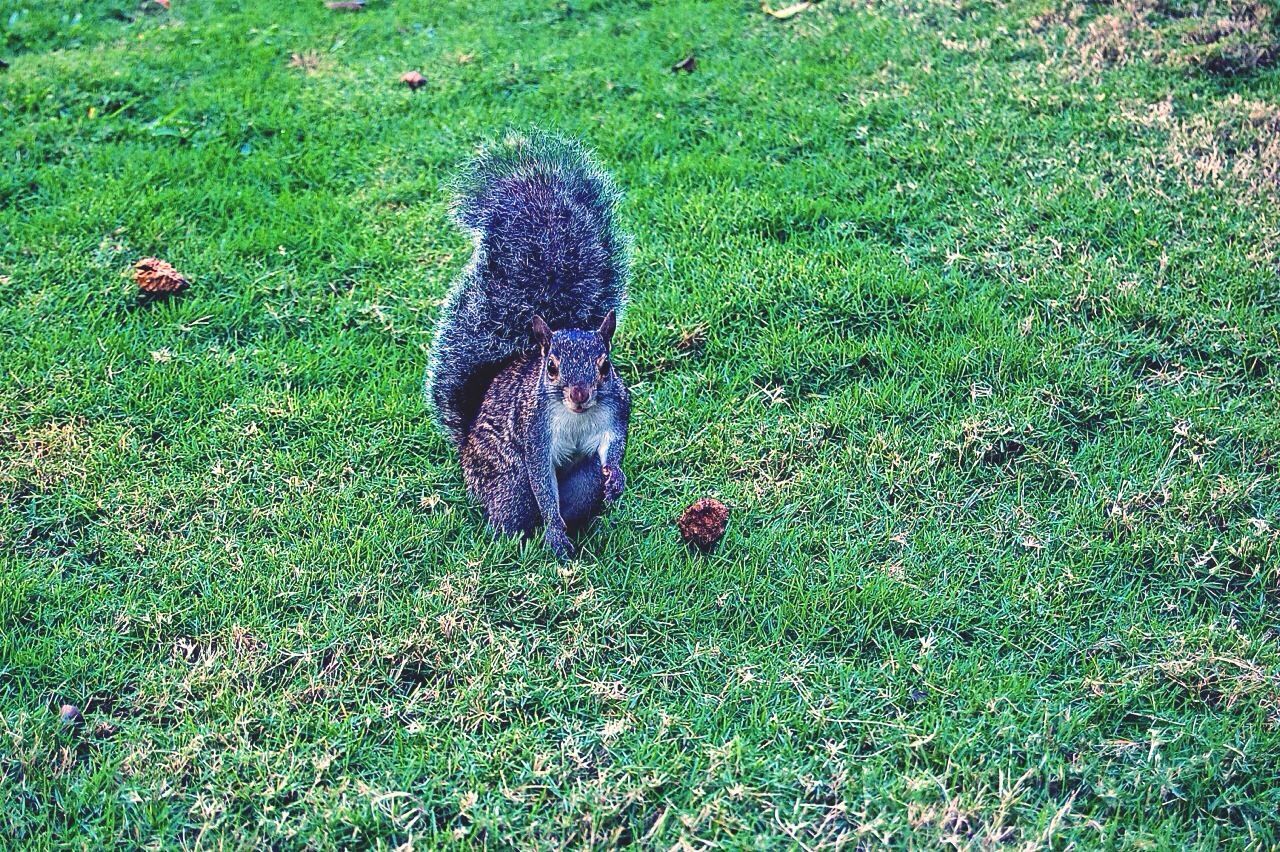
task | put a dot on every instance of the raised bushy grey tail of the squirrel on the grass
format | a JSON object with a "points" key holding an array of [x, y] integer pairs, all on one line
{"points": [[541, 212]]}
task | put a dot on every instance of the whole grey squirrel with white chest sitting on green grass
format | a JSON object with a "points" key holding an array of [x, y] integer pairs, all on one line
{"points": [[522, 378]]}
